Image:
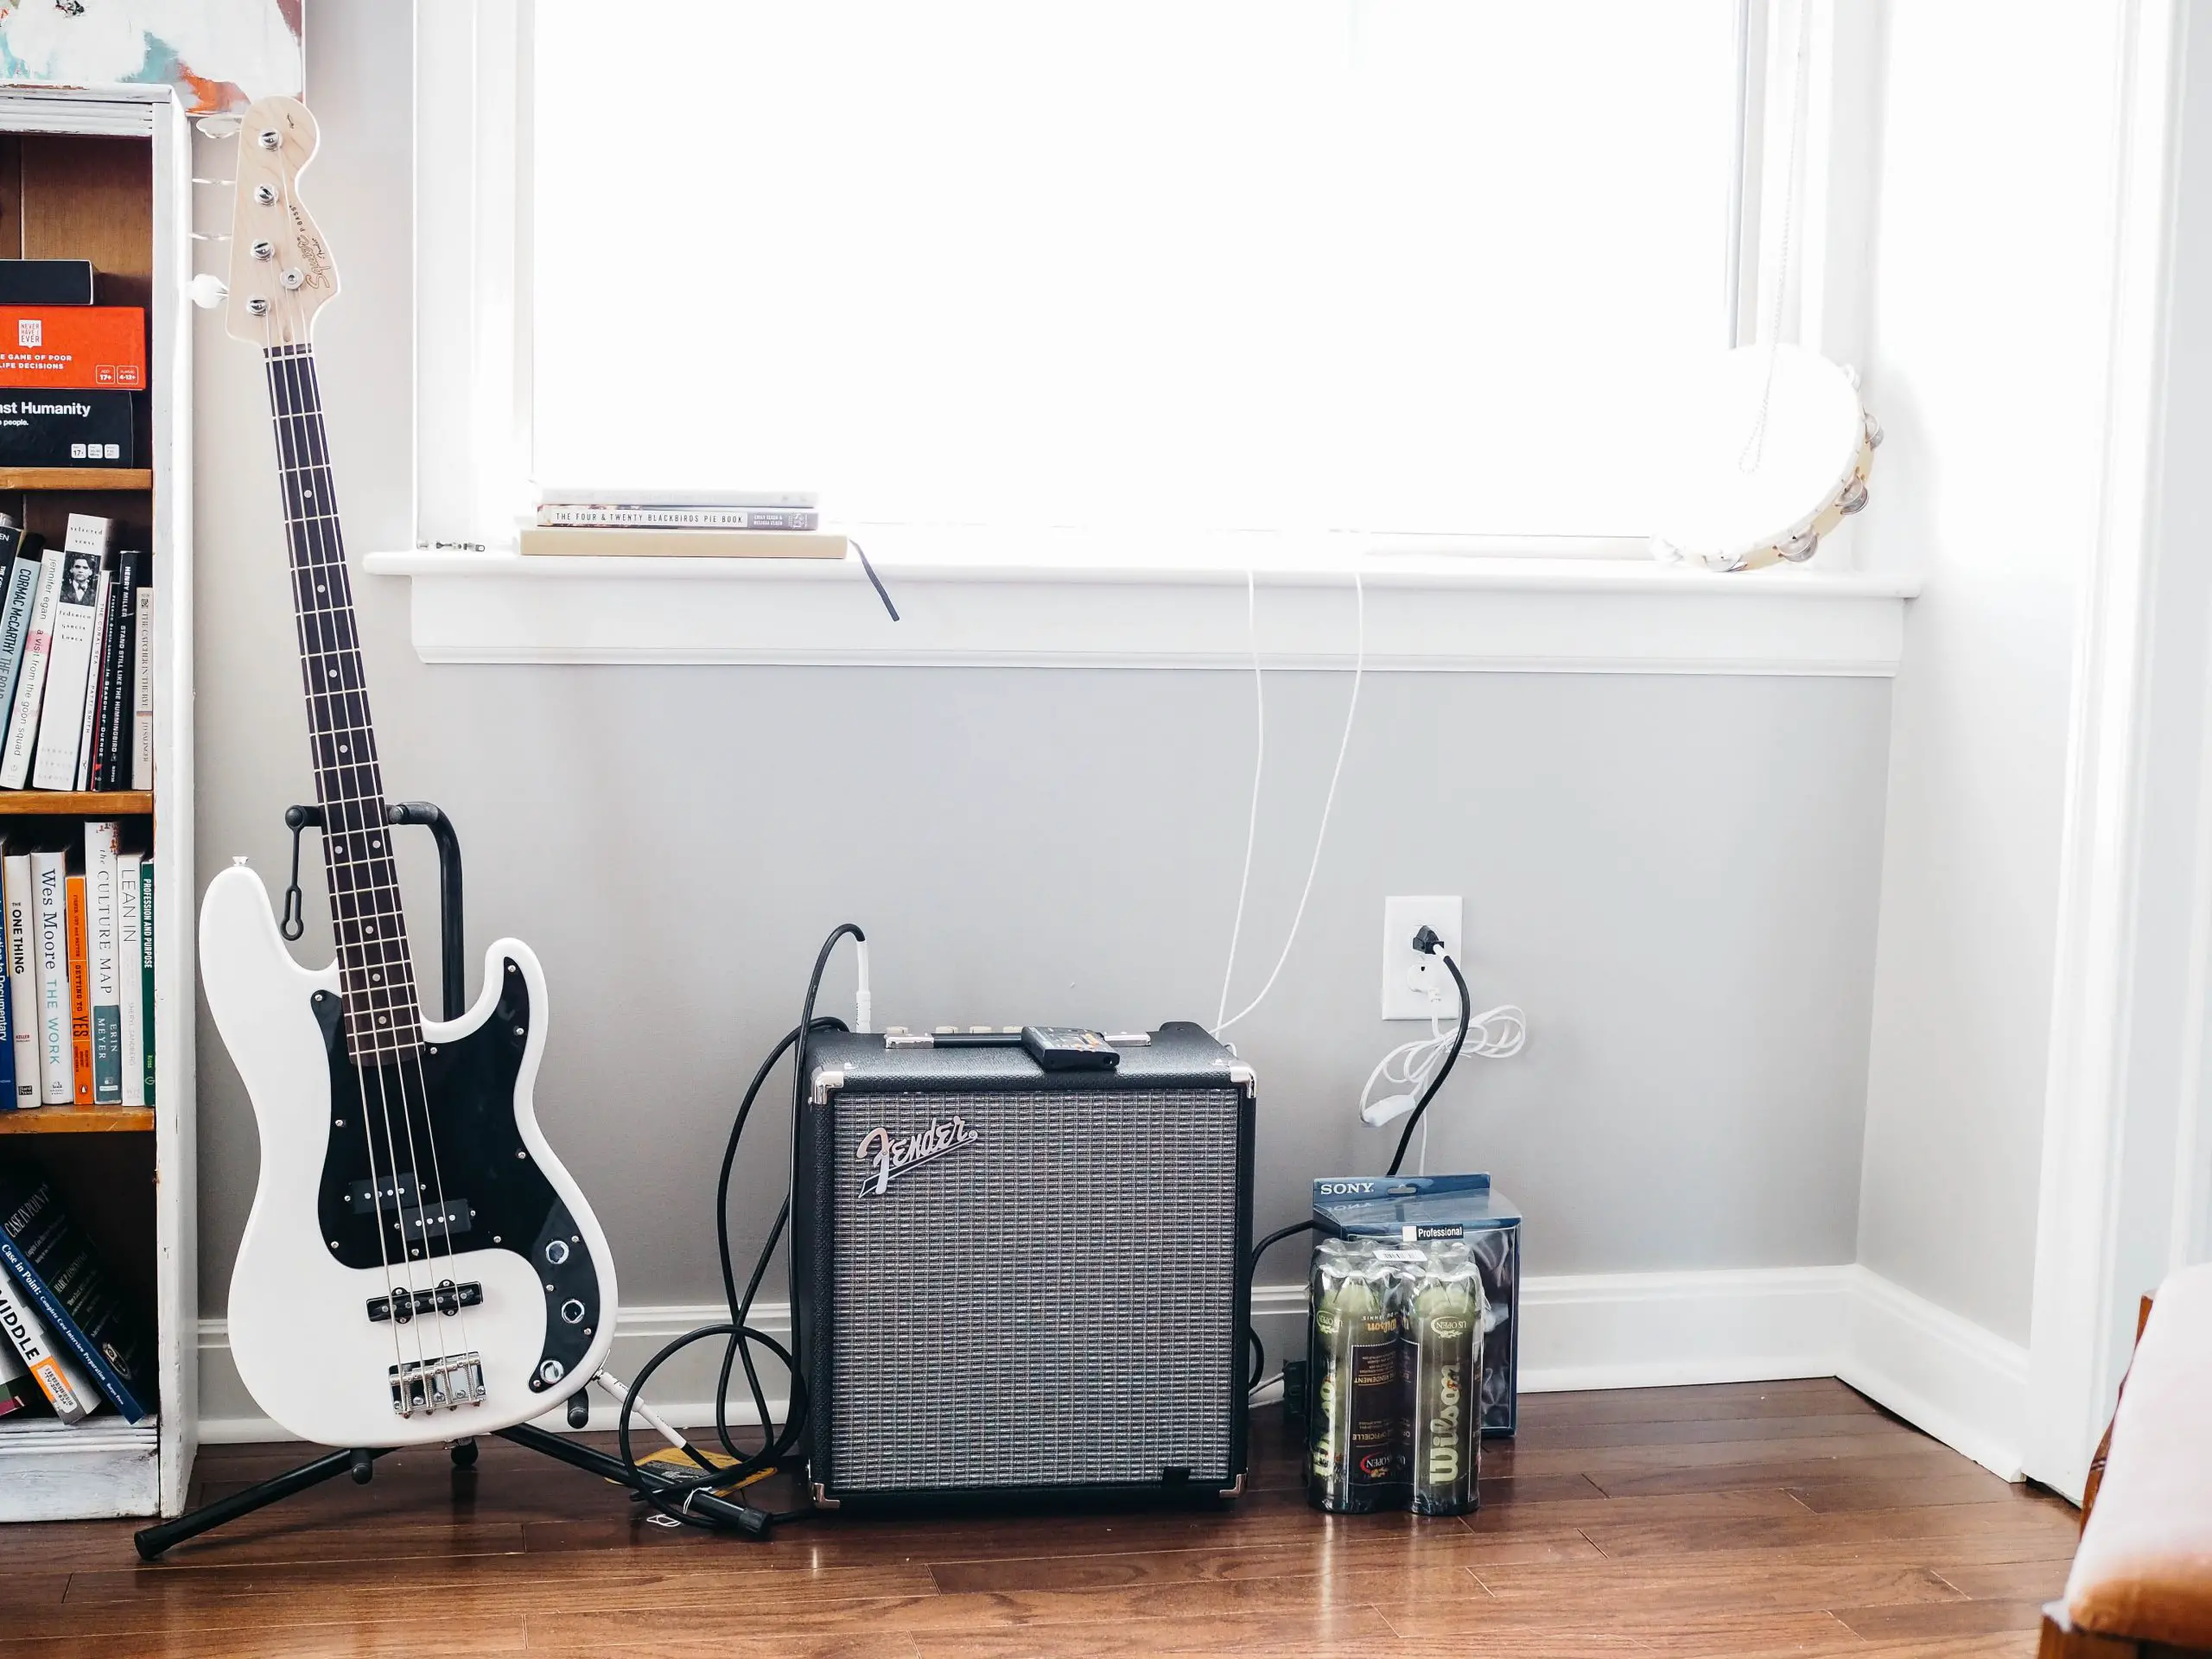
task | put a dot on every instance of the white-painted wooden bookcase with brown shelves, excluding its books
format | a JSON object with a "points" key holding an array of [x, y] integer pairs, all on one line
{"points": [[103, 176]]}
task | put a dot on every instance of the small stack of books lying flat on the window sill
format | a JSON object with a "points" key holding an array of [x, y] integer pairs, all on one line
{"points": [[696, 523]]}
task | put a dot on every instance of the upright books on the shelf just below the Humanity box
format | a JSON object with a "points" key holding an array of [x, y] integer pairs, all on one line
{"points": [[76, 662]]}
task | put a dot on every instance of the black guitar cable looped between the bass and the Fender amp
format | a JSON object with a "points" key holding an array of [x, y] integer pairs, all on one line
{"points": [[671, 1494]]}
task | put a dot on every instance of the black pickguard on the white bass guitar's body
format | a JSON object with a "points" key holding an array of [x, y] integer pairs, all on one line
{"points": [[494, 1193]]}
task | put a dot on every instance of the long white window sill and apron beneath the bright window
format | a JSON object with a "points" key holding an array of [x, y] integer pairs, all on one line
{"points": [[994, 607]]}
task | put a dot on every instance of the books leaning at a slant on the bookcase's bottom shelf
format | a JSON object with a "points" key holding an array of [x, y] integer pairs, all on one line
{"points": [[70, 1337]]}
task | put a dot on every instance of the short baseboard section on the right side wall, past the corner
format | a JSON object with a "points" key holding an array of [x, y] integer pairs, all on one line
{"points": [[1941, 1373]]}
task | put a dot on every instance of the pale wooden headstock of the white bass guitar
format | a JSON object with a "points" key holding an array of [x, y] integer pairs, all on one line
{"points": [[280, 269]]}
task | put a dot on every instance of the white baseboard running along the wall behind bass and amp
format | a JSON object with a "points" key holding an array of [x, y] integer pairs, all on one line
{"points": [[1578, 1333]]}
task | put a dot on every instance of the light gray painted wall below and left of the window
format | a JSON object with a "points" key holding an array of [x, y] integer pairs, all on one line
{"points": [[1676, 877]]}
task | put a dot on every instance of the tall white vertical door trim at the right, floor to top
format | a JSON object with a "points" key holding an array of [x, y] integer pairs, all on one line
{"points": [[2085, 1291]]}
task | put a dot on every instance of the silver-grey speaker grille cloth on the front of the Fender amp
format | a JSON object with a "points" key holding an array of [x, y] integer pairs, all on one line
{"points": [[1050, 1306]]}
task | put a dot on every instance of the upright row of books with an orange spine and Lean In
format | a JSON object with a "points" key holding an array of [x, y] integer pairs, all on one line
{"points": [[76, 997]]}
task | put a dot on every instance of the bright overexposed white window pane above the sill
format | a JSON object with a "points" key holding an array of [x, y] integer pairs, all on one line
{"points": [[1242, 264]]}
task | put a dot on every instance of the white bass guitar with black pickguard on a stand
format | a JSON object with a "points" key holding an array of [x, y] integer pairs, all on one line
{"points": [[417, 1266]]}
